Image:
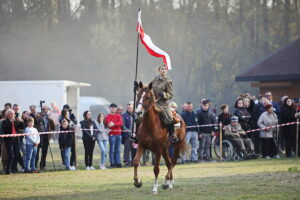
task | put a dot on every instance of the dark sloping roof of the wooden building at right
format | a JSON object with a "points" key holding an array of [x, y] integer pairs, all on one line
{"points": [[284, 64]]}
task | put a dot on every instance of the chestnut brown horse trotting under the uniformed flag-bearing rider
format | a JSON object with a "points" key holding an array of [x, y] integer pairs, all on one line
{"points": [[154, 137]]}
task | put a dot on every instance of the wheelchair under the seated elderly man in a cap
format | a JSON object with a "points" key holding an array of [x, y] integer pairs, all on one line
{"points": [[229, 151]]}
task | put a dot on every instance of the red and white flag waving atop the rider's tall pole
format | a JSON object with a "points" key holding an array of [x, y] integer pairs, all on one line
{"points": [[150, 47]]}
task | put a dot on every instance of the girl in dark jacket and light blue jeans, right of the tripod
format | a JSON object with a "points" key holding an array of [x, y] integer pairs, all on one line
{"points": [[65, 142]]}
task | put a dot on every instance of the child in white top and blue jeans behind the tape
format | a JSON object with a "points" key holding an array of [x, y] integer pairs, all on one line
{"points": [[32, 142]]}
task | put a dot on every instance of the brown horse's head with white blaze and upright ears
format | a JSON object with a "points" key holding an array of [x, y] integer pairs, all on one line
{"points": [[145, 97]]}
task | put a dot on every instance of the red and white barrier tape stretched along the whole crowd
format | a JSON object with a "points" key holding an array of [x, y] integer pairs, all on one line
{"points": [[69, 131]]}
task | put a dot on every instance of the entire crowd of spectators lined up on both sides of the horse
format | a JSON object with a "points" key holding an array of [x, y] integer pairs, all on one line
{"points": [[114, 129]]}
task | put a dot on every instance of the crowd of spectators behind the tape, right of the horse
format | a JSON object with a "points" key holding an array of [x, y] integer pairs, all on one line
{"points": [[249, 113]]}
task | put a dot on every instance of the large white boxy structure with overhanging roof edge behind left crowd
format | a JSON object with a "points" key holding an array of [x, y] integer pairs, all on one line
{"points": [[26, 93]]}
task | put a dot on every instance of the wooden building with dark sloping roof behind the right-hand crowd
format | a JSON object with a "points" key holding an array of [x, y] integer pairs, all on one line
{"points": [[278, 72]]}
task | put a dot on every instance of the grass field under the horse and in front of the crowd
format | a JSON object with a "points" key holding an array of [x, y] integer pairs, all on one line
{"points": [[256, 179]]}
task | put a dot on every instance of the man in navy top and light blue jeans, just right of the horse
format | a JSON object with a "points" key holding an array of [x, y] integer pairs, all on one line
{"points": [[191, 137]]}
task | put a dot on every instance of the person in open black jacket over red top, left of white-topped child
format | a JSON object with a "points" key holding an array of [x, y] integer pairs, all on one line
{"points": [[11, 126]]}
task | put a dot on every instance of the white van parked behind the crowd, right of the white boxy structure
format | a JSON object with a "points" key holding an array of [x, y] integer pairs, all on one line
{"points": [[94, 104]]}
